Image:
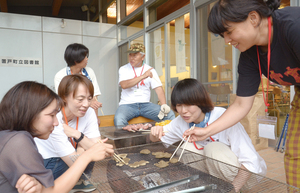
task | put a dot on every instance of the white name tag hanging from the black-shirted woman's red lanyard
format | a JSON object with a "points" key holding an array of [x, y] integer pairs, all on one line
{"points": [[267, 126]]}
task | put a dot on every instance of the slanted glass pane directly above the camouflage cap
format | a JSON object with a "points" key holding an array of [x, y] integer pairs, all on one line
{"points": [[131, 27]]}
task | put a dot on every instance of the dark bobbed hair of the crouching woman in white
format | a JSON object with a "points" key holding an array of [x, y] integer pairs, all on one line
{"points": [[191, 92]]}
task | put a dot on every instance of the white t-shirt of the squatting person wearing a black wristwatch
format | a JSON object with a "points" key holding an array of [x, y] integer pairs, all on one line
{"points": [[58, 144]]}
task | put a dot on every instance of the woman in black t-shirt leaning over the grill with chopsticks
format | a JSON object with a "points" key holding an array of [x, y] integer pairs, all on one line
{"points": [[269, 40]]}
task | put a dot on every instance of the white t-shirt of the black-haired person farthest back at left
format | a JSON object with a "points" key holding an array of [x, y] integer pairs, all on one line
{"points": [[63, 72]]}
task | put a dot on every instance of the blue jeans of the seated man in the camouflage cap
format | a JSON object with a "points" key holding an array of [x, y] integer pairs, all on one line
{"points": [[126, 112]]}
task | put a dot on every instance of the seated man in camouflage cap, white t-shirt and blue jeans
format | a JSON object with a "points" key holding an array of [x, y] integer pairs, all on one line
{"points": [[136, 78]]}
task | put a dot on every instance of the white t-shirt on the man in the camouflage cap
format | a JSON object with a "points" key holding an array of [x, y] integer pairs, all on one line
{"points": [[142, 93]]}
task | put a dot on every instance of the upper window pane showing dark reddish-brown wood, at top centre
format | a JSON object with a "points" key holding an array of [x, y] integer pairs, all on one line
{"points": [[161, 8]]}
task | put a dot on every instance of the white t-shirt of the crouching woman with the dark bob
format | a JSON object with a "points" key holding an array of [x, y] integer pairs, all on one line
{"points": [[235, 137]]}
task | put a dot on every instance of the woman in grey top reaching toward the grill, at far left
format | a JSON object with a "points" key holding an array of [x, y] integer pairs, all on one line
{"points": [[29, 110]]}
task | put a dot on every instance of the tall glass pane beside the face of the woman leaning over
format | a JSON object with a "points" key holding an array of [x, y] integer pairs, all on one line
{"points": [[215, 59]]}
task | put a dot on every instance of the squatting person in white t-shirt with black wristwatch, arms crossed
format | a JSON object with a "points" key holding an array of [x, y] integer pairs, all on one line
{"points": [[77, 130]]}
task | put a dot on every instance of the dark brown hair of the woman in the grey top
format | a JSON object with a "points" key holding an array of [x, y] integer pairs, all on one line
{"points": [[22, 104]]}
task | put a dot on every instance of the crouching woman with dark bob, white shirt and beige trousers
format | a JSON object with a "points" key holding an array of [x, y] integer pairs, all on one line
{"points": [[233, 145]]}
